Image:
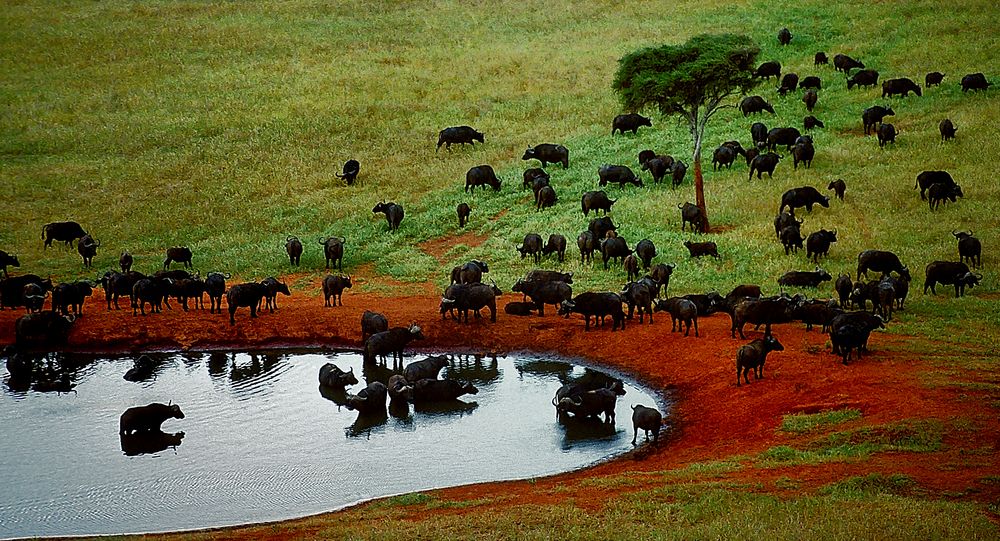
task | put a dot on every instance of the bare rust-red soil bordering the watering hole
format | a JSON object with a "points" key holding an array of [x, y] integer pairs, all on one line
{"points": [[711, 418]]}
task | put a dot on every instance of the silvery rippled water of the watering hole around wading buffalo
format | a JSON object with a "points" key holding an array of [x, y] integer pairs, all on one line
{"points": [[261, 442]]}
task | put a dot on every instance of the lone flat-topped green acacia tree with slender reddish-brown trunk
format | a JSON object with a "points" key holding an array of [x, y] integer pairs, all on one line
{"points": [[692, 80]]}
